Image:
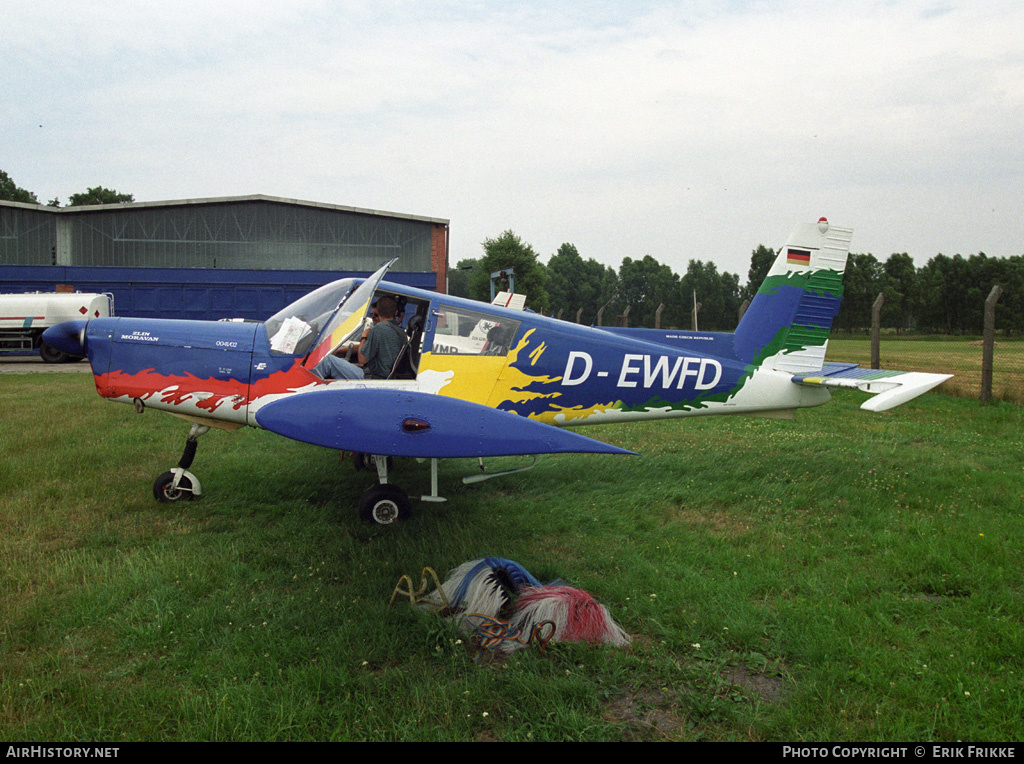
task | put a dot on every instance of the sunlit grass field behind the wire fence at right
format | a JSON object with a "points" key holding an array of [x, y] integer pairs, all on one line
{"points": [[960, 357]]}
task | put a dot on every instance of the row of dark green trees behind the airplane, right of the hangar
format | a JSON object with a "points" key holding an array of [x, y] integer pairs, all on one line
{"points": [[946, 296]]}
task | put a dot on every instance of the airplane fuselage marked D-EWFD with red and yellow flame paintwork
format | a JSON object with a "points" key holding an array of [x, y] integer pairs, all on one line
{"points": [[547, 370]]}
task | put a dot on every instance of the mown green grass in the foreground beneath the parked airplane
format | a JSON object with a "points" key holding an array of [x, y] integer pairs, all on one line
{"points": [[840, 577]]}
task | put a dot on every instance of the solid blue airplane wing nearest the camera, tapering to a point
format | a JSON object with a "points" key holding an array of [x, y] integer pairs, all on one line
{"points": [[407, 423]]}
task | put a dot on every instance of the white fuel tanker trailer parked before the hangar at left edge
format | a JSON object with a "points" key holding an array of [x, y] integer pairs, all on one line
{"points": [[25, 317]]}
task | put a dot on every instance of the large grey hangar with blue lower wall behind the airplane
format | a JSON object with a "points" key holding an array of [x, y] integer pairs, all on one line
{"points": [[209, 260]]}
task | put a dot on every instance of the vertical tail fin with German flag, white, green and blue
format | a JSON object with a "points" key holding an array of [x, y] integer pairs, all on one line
{"points": [[788, 323]]}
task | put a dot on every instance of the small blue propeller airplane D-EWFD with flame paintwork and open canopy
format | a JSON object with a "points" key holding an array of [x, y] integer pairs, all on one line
{"points": [[477, 380]]}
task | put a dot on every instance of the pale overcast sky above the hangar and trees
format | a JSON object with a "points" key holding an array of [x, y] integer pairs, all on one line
{"points": [[685, 131]]}
